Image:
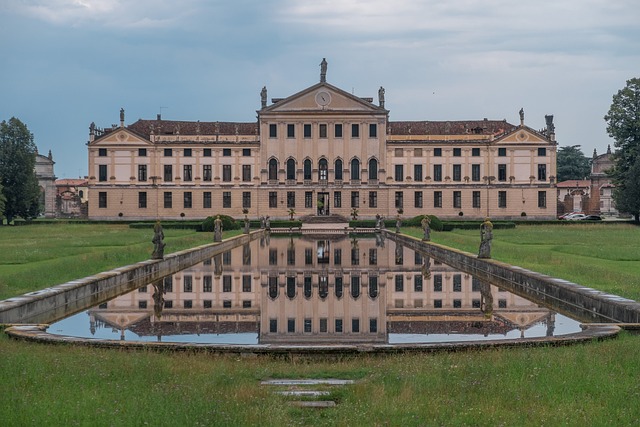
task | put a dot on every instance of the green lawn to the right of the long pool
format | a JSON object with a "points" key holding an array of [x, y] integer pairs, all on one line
{"points": [[600, 256]]}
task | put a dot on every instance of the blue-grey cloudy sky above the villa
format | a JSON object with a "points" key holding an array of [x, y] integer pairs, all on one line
{"points": [[67, 63]]}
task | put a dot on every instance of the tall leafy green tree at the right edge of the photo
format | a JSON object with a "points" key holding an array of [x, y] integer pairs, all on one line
{"points": [[623, 125]]}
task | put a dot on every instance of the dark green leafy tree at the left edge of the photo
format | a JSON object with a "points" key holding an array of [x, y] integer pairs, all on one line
{"points": [[17, 170]]}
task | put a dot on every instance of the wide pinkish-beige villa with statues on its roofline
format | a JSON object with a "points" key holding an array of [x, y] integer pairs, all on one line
{"points": [[322, 151]]}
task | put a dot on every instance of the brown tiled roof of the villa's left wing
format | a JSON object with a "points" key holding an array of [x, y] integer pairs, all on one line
{"points": [[175, 127]]}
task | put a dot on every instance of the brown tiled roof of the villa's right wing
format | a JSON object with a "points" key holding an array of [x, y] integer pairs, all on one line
{"points": [[462, 127]]}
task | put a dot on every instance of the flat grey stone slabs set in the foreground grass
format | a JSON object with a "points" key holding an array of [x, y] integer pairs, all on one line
{"points": [[305, 388]]}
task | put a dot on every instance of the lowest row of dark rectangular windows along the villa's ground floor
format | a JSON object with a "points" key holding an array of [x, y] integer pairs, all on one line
{"points": [[308, 199]]}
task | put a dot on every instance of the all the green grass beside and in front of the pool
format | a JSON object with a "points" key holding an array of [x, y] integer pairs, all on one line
{"points": [[587, 384]]}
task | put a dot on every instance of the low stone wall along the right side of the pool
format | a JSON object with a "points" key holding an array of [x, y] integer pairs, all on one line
{"points": [[581, 302]]}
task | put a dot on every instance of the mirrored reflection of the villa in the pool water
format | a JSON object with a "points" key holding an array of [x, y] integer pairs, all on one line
{"points": [[320, 291]]}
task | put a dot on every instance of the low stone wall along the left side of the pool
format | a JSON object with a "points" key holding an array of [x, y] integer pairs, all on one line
{"points": [[52, 304]]}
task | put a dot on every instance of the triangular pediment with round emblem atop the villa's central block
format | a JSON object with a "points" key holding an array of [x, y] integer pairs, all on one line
{"points": [[323, 97]]}
